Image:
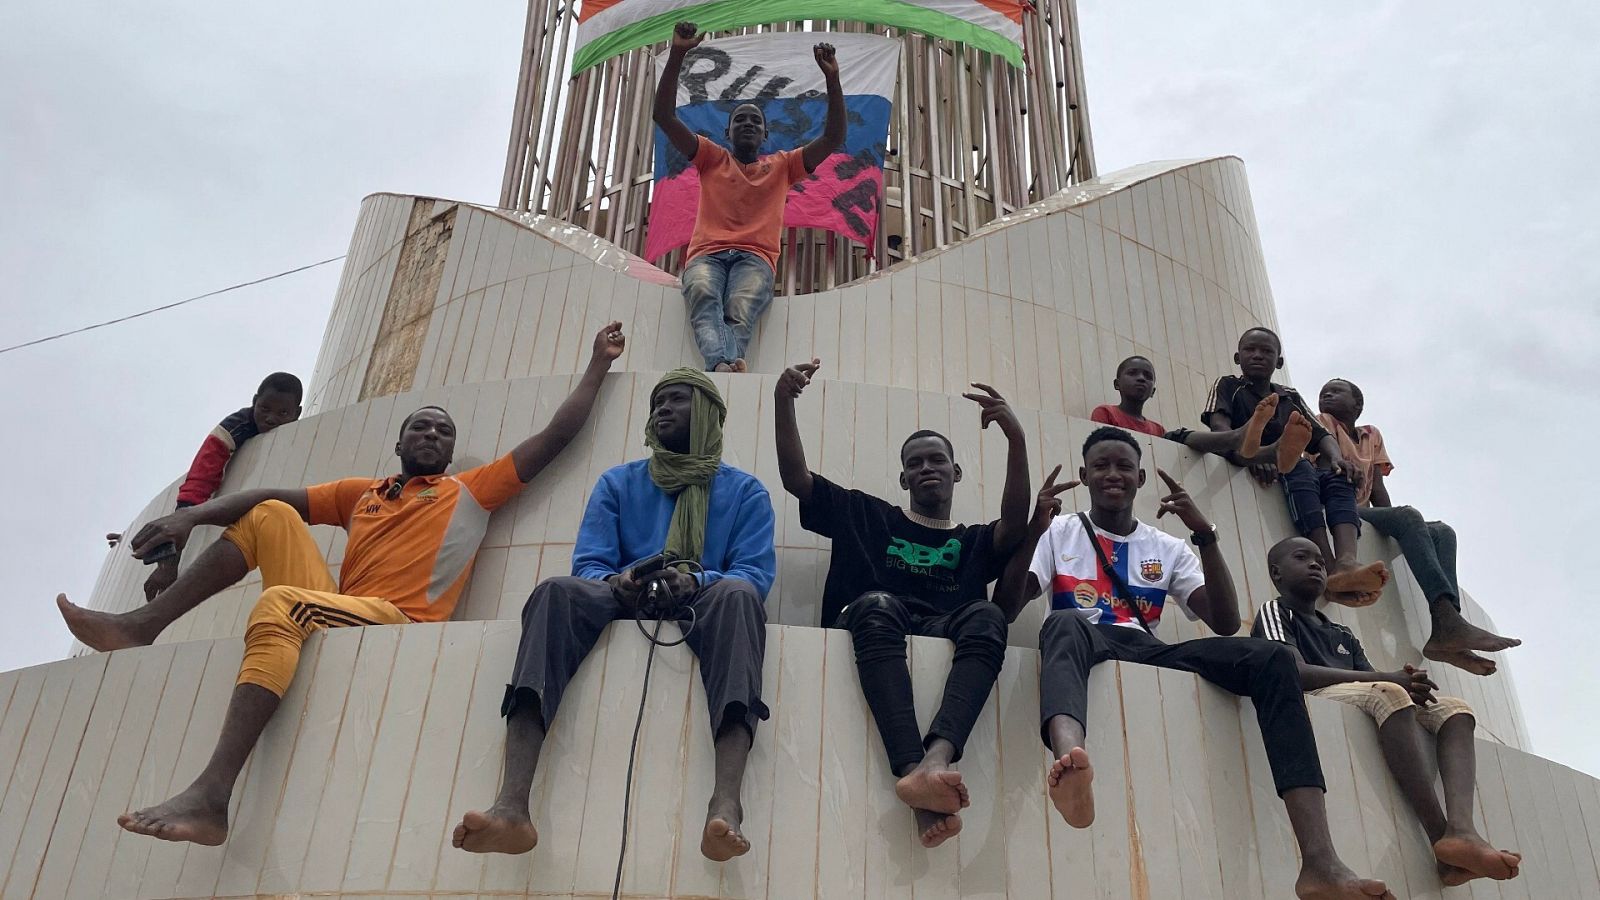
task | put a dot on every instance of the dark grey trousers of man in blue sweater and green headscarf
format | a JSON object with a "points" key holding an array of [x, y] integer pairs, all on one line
{"points": [[564, 621]]}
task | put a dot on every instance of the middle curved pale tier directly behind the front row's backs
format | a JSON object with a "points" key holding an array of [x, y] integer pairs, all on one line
{"points": [[858, 428]]}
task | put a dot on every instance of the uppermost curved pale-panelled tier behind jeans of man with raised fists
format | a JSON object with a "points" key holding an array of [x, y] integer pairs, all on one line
{"points": [[1161, 260]]}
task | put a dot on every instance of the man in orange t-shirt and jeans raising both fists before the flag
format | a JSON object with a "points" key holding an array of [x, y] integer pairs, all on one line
{"points": [[734, 252]]}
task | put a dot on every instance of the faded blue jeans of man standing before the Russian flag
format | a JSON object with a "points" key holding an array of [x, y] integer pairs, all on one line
{"points": [[727, 294]]}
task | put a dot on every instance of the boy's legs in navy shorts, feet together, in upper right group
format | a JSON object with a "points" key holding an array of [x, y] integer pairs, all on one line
{"points": [[1322, 507]]}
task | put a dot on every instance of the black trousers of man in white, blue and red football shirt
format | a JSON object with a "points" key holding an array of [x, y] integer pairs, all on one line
{"points": [[1250, 667]]}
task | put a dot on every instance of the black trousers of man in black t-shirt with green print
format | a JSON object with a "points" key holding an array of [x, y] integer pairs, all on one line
{"points": [[879, 625]]}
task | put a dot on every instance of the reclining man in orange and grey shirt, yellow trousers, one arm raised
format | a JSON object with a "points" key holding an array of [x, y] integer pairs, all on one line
{"points": [[412, 544]]}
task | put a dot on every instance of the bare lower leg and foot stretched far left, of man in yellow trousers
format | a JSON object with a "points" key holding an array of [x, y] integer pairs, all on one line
{"points": [[217, 569]]}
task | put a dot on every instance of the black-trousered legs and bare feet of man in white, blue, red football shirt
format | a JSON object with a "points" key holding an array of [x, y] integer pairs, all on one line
{"points": [[1247, 667]]}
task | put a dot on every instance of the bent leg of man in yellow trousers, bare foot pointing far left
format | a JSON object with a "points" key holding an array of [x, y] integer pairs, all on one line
{"points": [[271, 537]]}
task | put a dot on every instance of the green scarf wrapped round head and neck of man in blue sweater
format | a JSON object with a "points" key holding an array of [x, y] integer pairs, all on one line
{"points": [[687, 476]]}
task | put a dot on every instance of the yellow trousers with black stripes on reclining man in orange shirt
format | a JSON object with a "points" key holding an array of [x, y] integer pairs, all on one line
{"points": [[298, 595]]}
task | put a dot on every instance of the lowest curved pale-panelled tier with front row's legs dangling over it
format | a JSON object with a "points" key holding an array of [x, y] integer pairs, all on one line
{"points": [[391, 734]]}
